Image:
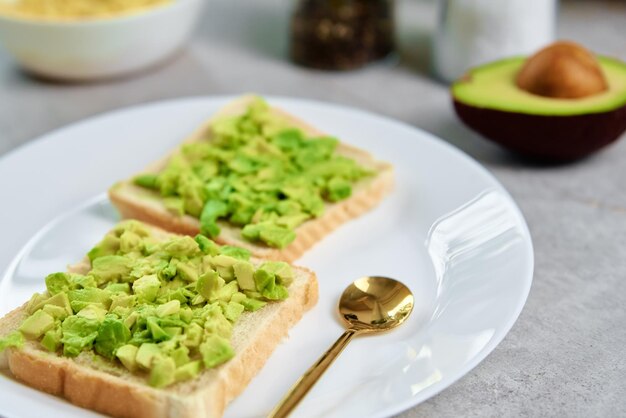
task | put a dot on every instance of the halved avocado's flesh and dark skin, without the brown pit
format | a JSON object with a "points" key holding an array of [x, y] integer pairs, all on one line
{"points": [[488, 100]]}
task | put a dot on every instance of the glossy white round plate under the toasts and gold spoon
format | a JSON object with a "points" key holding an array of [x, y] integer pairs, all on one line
{"points": [[449, 231]]}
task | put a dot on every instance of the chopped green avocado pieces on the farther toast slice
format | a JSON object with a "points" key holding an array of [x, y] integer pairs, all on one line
{"points": [[256, 172]]}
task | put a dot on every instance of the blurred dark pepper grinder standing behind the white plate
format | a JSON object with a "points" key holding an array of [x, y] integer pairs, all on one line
{"points": [[341, 34]]}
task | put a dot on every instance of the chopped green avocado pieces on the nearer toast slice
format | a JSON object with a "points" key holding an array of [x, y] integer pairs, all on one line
{"points": [[160, 308]]}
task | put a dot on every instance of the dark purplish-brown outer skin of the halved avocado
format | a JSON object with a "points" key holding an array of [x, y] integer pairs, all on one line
{"points": [[548, 138]]}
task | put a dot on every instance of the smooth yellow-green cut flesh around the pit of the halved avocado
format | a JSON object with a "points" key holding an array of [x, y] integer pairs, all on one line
{"points": [[492, 86]]}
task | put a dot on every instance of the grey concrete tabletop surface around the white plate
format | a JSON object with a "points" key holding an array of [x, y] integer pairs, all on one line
{"points": [[566, 355]]}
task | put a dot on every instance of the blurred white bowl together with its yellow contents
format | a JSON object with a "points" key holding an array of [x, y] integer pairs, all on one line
{"points": [[93, 39]]}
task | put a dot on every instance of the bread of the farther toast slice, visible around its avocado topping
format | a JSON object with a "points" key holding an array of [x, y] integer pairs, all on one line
{"points": [[135, 202]]}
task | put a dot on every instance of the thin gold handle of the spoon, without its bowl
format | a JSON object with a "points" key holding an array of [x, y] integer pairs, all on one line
{"points": [[311, 376]]}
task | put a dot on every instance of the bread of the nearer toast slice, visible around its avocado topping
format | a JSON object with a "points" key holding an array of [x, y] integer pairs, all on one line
{"points": [[107, 387]]}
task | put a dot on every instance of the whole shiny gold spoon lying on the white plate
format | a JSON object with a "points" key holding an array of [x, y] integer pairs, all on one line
{"points": [[370, 304]]}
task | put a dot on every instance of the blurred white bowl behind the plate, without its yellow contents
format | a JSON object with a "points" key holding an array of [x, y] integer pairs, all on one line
{"points": [[99, 48]]}
